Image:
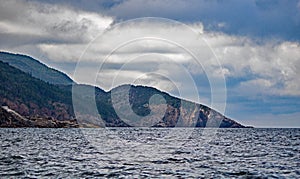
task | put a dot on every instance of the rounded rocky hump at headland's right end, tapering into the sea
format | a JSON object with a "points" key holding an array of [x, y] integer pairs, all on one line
{"points": [[166, 111]]}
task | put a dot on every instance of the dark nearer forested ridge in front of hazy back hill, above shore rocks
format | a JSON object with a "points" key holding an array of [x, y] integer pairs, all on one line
{"points": [[35, 99]]}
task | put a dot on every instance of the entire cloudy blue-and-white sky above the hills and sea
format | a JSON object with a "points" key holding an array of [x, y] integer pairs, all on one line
{"points": [[239, 57]]}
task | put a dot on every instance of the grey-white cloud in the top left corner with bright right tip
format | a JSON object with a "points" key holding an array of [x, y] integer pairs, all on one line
{"points": [[25, 22]]}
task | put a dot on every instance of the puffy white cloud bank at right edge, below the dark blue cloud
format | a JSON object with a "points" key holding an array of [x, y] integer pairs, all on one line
{"points": [[275, 66]]}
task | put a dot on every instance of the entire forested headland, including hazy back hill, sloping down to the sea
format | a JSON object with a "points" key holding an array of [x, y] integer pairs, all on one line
{"points": [[34, 95]]}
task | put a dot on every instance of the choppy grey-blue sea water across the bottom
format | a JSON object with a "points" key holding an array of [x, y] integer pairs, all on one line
{"points": [[145, 152]]}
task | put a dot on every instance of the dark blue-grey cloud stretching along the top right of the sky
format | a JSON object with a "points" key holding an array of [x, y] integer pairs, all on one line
{"points": [[258, 19]]}
